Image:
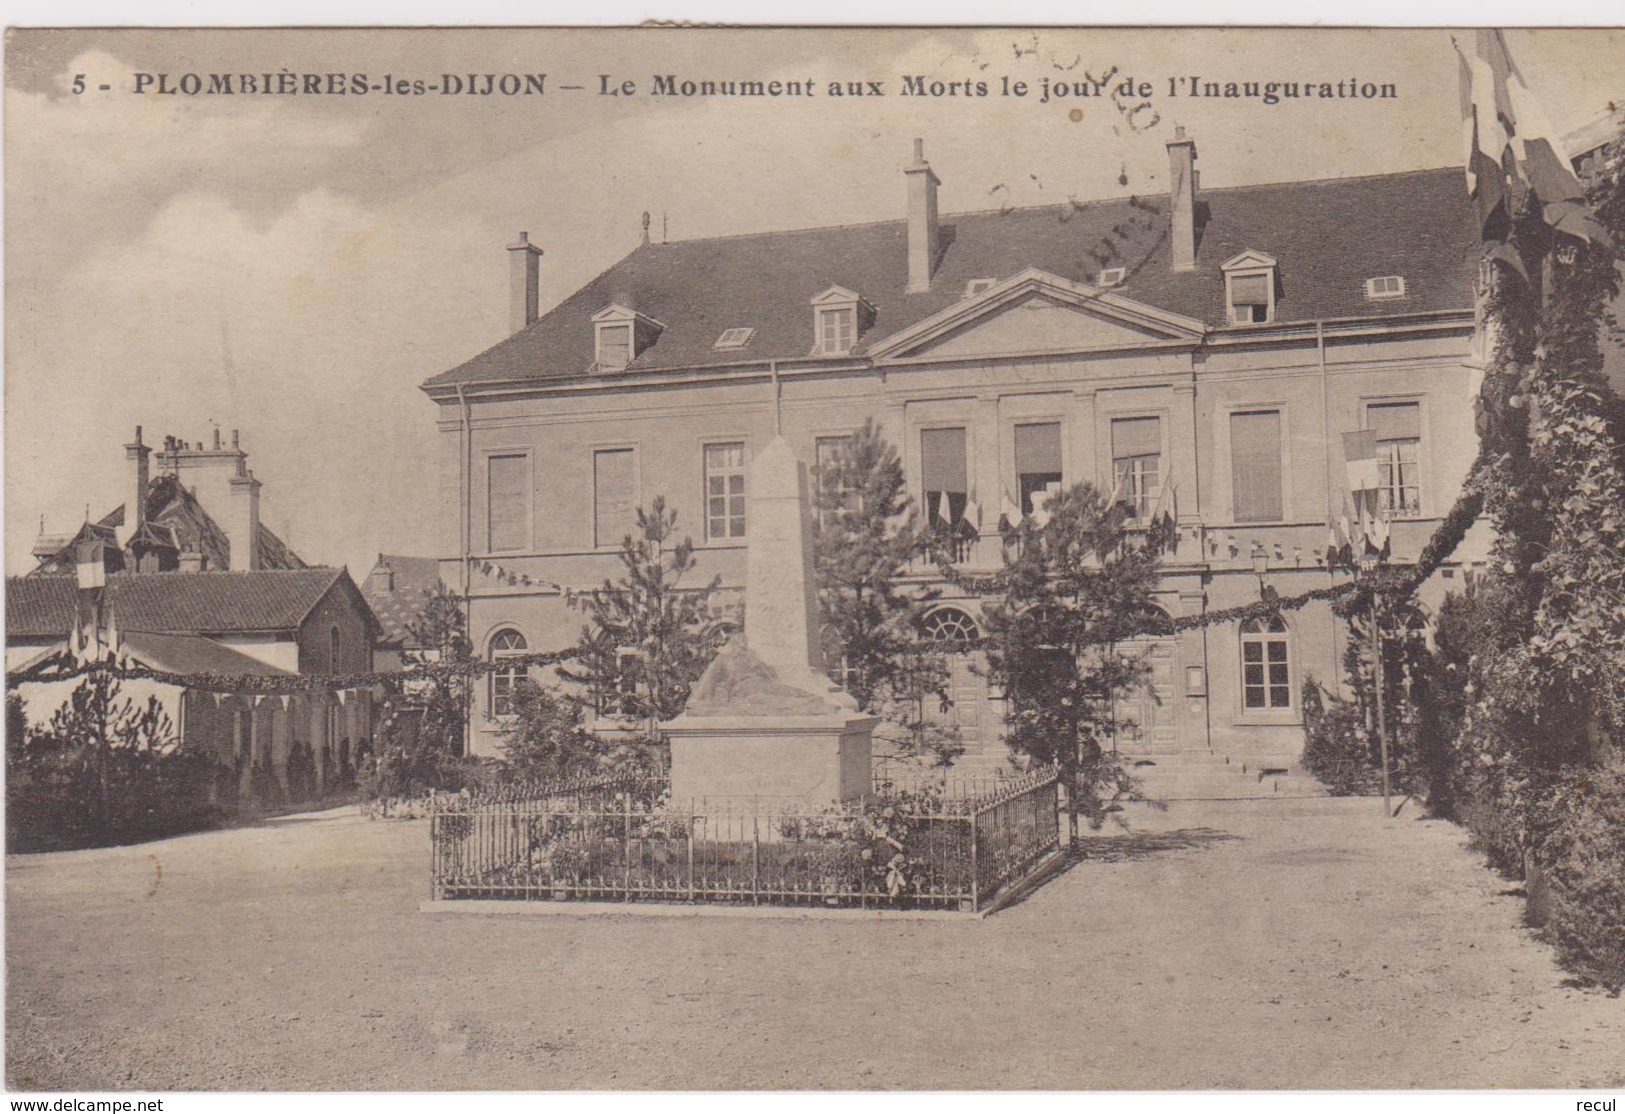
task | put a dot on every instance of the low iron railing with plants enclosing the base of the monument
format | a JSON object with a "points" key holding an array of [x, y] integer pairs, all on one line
{"points": [[609, 844]]}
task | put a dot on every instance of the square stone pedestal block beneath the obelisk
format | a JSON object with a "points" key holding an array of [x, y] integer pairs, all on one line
{"points": [[795, 761]]}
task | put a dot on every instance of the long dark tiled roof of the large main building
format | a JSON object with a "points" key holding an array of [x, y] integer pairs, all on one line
{"points": [[1328, 236]]}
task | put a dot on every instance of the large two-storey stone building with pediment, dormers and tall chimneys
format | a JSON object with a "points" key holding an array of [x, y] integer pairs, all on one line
{"points": [[1202, 353]]}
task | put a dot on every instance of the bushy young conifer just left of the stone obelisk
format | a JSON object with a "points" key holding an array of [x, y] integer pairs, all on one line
{"points": [[649, 637]]}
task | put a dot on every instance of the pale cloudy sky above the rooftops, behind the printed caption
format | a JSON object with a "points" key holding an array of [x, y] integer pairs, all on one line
{"points": [[297, 267]]}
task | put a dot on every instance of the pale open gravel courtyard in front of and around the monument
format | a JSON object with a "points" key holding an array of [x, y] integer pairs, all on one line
{"points": [[1221, 946]]}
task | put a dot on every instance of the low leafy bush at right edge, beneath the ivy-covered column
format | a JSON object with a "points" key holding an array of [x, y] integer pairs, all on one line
{"points": [[1582, 852]]}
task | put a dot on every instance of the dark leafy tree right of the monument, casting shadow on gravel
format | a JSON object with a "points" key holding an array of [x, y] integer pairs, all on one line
{"points": [[1070, 590]]}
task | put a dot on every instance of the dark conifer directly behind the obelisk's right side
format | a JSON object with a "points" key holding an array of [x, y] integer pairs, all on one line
{"points": [[865, 538]]}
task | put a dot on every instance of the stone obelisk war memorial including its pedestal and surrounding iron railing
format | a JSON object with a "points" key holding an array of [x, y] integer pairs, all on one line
{"points": [[773, 797]]}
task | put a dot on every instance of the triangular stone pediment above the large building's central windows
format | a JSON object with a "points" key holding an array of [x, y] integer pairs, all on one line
{"points": [[1038, 314]]}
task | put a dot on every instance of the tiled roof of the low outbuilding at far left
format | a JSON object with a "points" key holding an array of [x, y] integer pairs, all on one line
{"points": [[175, 603]]}
